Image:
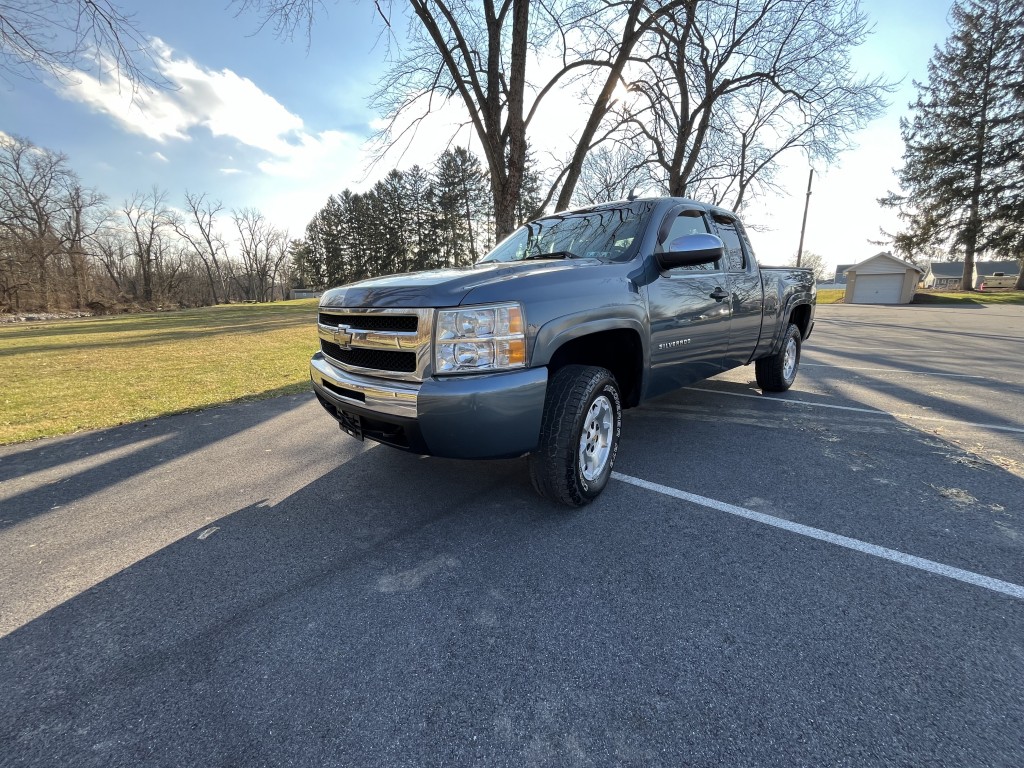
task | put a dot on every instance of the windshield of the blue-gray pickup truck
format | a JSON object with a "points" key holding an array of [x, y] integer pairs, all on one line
{"points": [[610, 234]]}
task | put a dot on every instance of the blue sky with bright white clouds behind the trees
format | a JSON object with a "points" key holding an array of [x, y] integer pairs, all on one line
{"points": [[267, 123]]}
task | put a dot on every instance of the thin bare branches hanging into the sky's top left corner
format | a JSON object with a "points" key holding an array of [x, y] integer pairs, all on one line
{"points": [[56, 37]]}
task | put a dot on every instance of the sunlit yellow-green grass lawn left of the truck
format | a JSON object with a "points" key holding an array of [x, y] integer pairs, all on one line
{"points": [[63, 377]]}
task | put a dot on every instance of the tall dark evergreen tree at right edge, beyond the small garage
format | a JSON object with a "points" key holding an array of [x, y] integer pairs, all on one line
{"points": [[964, 162]]}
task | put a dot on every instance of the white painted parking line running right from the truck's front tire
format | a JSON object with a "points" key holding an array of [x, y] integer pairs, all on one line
{"points": [[969, 577]]}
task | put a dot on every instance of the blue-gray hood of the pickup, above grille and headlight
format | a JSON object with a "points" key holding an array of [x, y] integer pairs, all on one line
{"points": [[441, 288]]}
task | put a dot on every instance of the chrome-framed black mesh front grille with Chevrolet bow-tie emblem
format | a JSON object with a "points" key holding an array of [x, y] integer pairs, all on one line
{"points": [[390, 344]]}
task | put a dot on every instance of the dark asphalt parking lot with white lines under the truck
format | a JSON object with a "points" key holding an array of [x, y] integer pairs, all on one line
{"points": [[834, 576]]}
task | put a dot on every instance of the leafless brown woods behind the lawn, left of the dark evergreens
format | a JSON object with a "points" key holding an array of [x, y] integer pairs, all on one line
{"points": [[65, 247]]}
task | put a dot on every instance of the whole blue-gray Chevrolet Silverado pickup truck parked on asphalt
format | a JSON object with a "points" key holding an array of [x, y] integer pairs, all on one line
{"points": [[539, 348]]}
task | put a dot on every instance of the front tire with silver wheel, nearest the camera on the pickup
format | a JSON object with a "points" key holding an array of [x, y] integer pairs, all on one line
{"points": [[579, 436]]}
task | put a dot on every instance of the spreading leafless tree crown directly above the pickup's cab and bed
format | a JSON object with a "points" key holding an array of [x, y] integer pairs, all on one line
{"points": [[723, 92]]}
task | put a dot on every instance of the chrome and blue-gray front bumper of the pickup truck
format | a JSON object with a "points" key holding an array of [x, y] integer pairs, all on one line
{"points": [[487, 416]]}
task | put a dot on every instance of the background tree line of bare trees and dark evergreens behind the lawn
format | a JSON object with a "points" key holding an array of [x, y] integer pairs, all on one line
{"points": [[64, 247]]}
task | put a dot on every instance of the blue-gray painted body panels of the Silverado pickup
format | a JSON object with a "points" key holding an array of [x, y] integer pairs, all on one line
{"points": [[681, 319]]}
